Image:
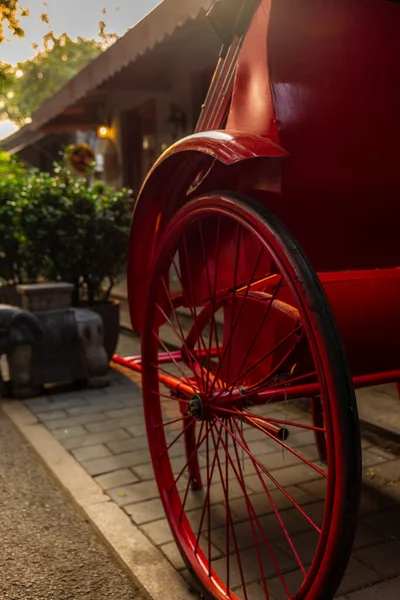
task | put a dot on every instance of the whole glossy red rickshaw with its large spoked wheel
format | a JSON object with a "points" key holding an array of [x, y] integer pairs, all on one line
{"points": [[264, 279]]}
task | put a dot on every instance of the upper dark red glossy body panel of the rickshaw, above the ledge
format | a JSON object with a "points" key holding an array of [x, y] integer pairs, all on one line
{"points": [[321, 79]]}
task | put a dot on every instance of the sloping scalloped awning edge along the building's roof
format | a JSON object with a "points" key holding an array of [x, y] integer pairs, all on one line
{"points": [[161, 23]]}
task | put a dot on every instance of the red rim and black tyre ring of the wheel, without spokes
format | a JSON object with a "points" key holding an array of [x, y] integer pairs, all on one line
{"points": [[340, 417]]}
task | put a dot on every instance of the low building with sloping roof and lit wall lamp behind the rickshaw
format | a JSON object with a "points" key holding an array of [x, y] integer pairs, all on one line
{"points": [[141, 95]]}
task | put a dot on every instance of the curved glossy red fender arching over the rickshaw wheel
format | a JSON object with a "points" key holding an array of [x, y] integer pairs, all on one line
{"points": [[200, 162]]}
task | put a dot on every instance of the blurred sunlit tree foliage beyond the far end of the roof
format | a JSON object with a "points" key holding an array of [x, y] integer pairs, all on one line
{"points": [[28, 84]]}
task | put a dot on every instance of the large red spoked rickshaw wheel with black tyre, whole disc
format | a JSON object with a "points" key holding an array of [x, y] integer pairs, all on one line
{"points": [[237, 309]]}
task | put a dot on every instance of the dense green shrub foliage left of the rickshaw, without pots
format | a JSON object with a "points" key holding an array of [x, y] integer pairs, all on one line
{"points": [[61, 228]]}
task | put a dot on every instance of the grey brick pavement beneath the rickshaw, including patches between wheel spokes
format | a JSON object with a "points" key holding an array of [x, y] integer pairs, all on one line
{"points": [[105, 432]]}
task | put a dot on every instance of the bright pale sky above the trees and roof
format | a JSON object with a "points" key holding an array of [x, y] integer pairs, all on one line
{"points": [[76, 18]]}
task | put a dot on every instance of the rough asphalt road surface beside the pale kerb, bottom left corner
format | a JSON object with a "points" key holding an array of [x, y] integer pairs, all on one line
{"points": [[47, 550]]}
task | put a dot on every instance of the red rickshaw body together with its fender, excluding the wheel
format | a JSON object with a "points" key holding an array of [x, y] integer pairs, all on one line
{"points": [[317, 96]]}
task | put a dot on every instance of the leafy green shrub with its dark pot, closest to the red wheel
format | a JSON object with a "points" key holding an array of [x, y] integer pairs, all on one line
{"points": [[87, 245]]}
